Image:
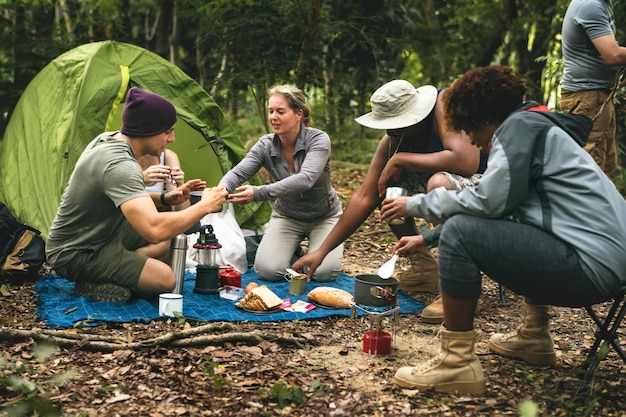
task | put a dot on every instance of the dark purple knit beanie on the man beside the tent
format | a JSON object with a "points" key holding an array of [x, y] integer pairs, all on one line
{"points": [[146, 114]]}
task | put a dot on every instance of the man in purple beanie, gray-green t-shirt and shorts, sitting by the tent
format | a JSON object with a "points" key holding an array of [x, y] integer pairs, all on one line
{"points": [[108, 234]]}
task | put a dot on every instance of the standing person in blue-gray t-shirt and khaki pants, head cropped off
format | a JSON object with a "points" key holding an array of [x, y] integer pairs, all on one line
{"points": [[591, 57]]}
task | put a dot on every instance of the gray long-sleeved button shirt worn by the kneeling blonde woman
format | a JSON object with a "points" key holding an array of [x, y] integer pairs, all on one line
{"points": [[306, 194]]}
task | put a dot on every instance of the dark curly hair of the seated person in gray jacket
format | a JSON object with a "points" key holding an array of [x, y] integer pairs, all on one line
{"points": [[482, 95]]}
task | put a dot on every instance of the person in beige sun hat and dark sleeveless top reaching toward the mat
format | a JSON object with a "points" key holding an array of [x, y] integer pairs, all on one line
{"points": [[416, 152]]}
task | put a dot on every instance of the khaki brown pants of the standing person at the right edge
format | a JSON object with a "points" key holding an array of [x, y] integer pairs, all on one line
{"points": [[601, 144]]}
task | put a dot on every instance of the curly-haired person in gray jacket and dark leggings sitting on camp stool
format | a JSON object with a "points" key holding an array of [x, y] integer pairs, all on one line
{"points": [[544, 221]]}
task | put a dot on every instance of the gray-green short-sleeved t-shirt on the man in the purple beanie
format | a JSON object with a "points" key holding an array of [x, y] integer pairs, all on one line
{"points": [[106, 175]]}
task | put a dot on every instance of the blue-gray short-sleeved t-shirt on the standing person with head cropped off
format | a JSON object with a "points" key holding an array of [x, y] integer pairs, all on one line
{"points": [[584, 67]]}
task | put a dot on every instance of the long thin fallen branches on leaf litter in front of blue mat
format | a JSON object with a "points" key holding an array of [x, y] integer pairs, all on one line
{"points": [[193, 336]]}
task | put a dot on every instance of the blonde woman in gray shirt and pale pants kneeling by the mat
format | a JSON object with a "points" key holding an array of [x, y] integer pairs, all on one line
{"points": [[306, 205]]}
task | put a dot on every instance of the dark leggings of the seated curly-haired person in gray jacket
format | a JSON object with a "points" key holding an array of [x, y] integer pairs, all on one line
{"points": [[522, 258]]}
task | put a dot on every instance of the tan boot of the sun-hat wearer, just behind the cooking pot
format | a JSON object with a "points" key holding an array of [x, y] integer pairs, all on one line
{"points": [[422, 275]]}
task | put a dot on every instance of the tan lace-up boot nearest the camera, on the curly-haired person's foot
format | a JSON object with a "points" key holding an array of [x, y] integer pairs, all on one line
{"points": [[455, 369]]}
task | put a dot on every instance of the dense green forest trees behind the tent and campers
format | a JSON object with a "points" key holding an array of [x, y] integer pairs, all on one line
{"points": [[341, 51]]}
